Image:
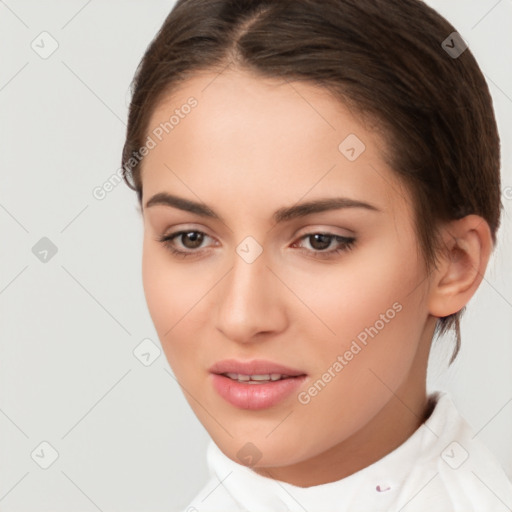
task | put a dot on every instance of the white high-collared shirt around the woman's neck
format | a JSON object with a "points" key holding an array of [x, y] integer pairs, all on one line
{"points": [[441, 467]]}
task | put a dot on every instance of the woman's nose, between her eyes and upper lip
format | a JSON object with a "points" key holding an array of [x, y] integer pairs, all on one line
{"points": [[250, 301]]}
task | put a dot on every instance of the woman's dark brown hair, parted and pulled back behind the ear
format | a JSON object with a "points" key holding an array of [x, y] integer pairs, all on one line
{"points": [[381, 57]]}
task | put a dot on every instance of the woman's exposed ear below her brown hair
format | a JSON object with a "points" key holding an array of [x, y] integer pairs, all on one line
{"points": [[467, 246]]}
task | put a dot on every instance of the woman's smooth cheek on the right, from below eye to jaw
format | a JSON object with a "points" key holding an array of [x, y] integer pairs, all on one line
{"points": [[370, 318]]}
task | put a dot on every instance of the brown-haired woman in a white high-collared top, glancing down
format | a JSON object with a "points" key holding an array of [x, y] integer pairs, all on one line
{"points": [[319, 184]]}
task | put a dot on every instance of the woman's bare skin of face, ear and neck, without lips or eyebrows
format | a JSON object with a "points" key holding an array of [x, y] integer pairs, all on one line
{"points": [[250, 147]]}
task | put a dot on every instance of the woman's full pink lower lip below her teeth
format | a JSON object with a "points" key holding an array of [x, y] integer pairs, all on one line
{"points": [[255, 396]]}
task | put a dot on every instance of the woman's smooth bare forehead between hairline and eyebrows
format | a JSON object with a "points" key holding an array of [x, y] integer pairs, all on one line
{"points": [[257, 138]]}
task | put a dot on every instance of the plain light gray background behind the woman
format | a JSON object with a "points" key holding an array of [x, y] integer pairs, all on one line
{"points": [[126, 438]]}
